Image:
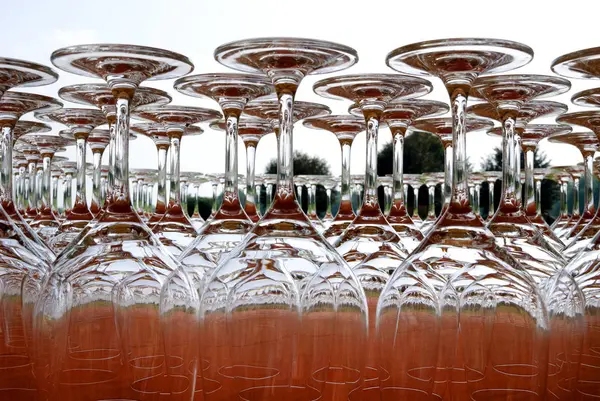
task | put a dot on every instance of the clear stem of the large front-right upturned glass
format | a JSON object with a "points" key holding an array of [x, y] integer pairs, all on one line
{"points": [[460, 189]]}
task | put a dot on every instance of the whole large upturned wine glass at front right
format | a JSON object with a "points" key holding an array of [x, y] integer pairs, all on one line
{"points": [[458, 276]]}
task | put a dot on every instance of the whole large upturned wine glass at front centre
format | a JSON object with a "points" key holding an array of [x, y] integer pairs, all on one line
{"points": [[284, 270]]}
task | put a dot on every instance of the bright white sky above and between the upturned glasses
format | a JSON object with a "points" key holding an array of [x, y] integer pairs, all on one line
{"points": [[32, 30]]}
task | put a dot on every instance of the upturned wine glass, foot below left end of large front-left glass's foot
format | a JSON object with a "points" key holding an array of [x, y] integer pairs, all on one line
{"points": [[81, 122]]}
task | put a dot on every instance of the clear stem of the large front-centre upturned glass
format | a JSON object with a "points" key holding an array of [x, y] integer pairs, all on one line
{"points": [[285, 152]]}
